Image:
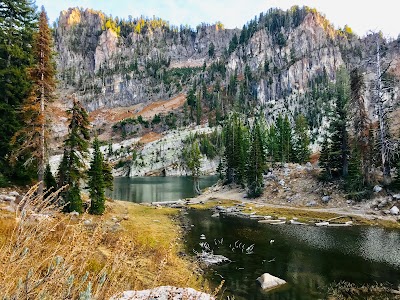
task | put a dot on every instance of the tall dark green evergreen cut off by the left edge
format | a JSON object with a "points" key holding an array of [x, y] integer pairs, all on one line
{"points": [[17, 25]]}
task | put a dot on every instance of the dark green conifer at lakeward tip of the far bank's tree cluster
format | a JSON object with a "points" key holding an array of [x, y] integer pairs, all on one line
{"points": [[256, 163]]}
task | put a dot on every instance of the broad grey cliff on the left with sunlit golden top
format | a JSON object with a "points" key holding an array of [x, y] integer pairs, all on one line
{"points": [[109, 69]]}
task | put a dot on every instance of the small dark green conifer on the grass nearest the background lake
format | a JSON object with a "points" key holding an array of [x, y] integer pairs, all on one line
{"points": [[99, 180]]}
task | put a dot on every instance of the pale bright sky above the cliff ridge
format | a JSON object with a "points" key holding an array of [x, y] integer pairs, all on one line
{"points": [[361, 16]]}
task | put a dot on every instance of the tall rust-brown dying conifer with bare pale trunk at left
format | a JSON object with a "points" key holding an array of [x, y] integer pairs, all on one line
{"points": [[32, 137]]}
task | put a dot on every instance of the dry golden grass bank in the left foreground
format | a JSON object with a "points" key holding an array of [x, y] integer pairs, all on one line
{"points": [[45, 254]]}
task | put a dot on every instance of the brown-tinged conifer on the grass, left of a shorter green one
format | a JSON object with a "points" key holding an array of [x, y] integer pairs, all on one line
{"points": [[71, 169]]}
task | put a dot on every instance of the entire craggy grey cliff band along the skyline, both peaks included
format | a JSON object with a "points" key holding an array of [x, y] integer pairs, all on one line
{"points": [[286, 59]]}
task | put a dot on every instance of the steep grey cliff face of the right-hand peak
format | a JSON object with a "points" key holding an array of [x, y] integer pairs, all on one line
{"points": [[287, 68]]}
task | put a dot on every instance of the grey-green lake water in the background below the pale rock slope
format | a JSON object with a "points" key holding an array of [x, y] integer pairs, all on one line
{"points": [[156, 189]]}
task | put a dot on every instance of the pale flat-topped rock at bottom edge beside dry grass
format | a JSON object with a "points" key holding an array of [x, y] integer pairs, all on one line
{"points": [[164, 293]]}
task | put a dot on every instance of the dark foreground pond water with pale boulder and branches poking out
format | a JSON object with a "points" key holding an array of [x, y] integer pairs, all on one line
{"points": [[308, 258]]}
